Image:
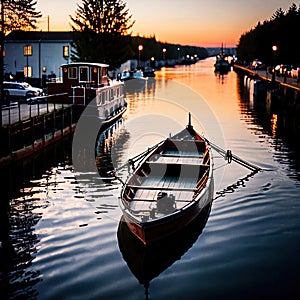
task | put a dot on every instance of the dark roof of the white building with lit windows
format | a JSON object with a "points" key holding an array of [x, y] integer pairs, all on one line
{"points": [[21, 36]]}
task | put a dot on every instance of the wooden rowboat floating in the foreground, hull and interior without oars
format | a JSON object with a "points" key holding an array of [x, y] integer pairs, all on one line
{"points": [[170, 186]]}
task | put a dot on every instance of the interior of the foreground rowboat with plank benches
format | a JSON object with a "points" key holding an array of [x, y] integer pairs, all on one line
{"points": [[169, 179]]}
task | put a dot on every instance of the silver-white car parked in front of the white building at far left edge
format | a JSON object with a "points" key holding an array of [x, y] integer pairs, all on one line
{"points": [[20, 90]]}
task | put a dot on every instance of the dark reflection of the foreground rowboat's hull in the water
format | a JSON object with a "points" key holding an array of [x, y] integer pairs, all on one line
{"points": [[148, 262]]}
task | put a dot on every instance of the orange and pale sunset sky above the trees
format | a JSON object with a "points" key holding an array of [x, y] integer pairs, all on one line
{"points": [[190, 22]]}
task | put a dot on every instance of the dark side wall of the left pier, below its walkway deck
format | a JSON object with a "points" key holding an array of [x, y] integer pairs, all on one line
{"points": [[26, 137]]}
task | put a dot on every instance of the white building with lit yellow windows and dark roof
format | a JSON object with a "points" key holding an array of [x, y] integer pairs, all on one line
{"points": [[37, 53]]}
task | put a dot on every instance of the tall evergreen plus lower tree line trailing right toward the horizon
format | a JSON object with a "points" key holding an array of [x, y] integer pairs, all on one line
{"points": [[101, 33]]}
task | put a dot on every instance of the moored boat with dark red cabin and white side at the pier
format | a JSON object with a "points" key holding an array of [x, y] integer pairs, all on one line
{"points": [[84, 82]]}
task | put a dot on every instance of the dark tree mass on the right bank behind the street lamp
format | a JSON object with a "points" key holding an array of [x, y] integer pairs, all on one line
{"points": [[280, 30]]}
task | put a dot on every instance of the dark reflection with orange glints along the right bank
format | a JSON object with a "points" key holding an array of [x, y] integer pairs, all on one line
{"points": [[269, 115]]}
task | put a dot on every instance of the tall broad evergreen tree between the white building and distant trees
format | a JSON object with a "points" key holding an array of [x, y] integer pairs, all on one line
{"points": [[101, 32]]}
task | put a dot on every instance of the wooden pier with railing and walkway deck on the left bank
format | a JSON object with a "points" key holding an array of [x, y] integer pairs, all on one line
{"points": [[26, 131]]}
